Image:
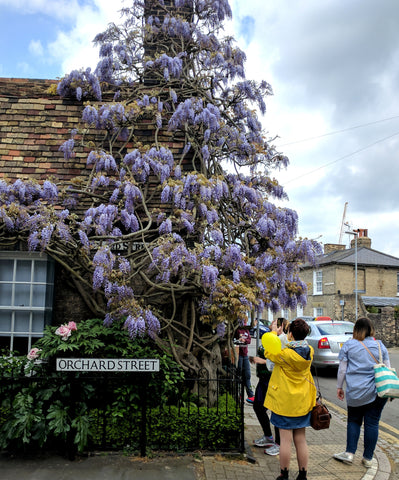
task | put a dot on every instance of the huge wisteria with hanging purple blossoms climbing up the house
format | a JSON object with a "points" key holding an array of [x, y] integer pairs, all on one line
{"points": [[179, 233]]}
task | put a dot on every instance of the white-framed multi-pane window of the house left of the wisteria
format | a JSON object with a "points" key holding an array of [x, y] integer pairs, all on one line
{"points": [[26, 298]]}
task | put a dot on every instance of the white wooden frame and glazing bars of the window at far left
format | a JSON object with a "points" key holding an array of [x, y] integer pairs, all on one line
{"points": [[32, 310]]}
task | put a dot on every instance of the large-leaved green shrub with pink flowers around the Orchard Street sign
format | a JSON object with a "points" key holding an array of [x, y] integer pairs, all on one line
{"points": [[53, 409]]}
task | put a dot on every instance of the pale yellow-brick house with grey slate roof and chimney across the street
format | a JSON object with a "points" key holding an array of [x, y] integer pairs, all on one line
{"points": [[331, 284]]}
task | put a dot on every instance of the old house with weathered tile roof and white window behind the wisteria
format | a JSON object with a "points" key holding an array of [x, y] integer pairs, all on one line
{"points": [[34, 123]]}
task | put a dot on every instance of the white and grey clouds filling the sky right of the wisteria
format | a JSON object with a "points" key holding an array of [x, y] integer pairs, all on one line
{"points": [[333, 66]]}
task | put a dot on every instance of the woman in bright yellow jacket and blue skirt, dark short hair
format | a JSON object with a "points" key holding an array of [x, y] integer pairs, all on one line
{"points": [[291, 395]]}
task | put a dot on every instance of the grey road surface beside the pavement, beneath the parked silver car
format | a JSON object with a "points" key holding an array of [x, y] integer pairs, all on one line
{"points": [[390, 414]]}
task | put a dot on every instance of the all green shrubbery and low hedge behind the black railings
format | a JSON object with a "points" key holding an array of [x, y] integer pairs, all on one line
{"points": [[42, 408]]}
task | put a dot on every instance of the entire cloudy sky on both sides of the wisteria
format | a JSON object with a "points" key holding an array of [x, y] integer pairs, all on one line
{"points": [[334, 69]]}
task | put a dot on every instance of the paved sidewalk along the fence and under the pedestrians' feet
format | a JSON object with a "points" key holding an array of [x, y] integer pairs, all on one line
{"points": [[254, 464]]}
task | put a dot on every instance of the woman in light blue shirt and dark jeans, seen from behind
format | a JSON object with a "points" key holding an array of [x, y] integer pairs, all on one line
{"points": [[357, 359]]}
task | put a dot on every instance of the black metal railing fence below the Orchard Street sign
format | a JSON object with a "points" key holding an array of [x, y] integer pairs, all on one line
{"points": [[131, 411]]}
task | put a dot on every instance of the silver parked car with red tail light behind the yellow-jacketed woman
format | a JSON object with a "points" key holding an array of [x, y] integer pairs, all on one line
{"points": [[327, 338]]}
